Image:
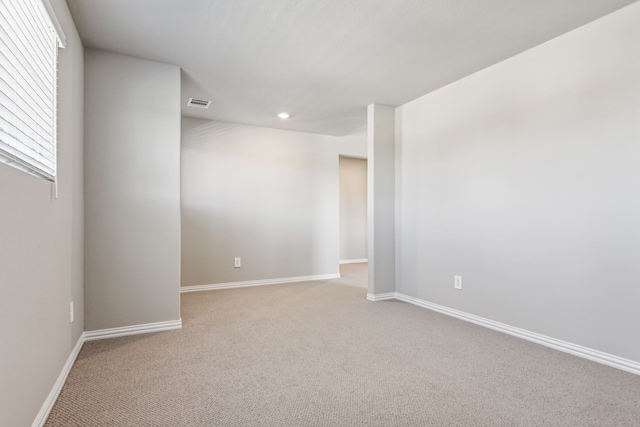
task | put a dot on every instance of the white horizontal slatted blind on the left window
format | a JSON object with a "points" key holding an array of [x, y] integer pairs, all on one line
{"points": [[28, 86]]}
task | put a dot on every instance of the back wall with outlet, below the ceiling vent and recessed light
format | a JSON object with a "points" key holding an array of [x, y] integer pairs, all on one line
{"points": [[268, 196]]}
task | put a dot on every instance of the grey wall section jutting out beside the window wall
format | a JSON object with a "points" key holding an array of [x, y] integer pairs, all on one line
{"points": [[132, 191]]}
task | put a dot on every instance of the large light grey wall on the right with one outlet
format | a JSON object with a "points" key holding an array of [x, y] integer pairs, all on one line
{"points": [[523, 179]]}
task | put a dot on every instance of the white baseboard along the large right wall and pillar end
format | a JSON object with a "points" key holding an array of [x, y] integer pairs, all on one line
{"points": [[564, 346]]}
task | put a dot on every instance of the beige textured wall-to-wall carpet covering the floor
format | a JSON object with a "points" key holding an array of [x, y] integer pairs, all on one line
{"points": [[319, 354]]}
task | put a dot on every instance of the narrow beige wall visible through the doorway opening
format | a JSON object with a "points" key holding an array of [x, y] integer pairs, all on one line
{"points": [[353, 209]]}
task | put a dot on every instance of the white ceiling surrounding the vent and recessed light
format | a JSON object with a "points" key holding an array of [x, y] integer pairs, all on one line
{"points": [[323, 60]]}
